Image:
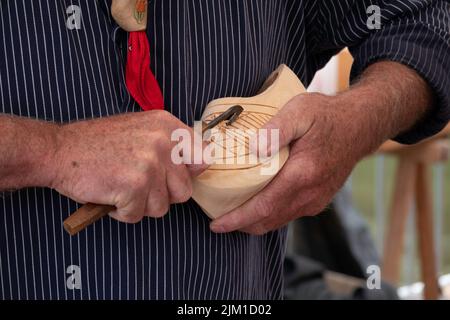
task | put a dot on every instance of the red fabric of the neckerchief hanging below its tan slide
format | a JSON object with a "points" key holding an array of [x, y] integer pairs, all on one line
{"points": [[140, 81]]}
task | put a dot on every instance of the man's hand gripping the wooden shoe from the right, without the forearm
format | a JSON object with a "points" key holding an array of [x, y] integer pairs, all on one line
{"points": [[323, 151]]}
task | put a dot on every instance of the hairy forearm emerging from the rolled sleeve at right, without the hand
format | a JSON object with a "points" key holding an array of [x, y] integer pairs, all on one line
{"points": [[388, 99]]}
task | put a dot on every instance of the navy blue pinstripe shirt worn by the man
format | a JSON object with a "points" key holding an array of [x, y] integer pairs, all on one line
{"points": [[200, 50]]}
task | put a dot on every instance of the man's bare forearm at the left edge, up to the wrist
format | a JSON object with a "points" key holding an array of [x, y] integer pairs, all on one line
{"points": [[26, 149]]}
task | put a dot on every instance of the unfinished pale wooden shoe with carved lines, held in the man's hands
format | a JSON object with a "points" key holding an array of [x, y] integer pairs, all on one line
{"points": [[225, 186]]}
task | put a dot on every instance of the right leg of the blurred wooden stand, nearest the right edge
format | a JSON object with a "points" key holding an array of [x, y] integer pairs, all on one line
{"points": [[425, 233]]}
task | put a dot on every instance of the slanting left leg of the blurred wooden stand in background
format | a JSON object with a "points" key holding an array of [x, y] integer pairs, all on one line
{"points": [[400, 208]]}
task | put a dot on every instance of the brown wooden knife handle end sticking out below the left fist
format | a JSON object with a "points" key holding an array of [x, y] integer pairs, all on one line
{"points": [[85, 216]]}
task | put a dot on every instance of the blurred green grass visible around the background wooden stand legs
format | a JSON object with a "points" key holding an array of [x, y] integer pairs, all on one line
{"points": [[363, 188]]}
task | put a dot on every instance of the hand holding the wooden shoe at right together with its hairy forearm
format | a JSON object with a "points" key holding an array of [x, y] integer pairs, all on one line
{"points": [[328, 136]]}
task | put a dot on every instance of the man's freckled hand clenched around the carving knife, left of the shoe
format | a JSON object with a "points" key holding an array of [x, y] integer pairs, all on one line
{"points": [[124, 161]]}
